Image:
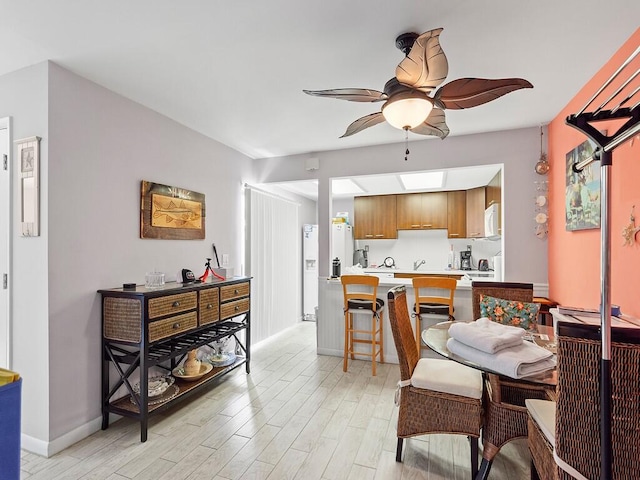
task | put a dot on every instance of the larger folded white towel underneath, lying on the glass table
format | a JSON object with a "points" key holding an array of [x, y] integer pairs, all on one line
{"points": [[515, 362]]}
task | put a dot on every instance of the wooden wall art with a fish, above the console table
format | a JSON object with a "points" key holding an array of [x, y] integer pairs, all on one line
{"points": [[171, 213]]}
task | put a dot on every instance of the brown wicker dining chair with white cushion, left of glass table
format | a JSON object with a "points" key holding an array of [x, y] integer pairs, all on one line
{"points": [[436, 395]]}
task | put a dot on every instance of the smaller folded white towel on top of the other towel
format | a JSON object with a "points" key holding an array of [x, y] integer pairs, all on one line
{"points": [[485, 335]]}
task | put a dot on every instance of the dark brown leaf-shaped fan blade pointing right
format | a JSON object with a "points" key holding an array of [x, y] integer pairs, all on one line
{"points": [[471, 92]]}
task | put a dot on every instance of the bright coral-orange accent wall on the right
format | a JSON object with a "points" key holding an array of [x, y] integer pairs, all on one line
{"points": [[574, 257]]}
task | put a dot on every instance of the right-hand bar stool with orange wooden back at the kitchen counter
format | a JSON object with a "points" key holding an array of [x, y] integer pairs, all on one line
{"points": [[432, 304]]}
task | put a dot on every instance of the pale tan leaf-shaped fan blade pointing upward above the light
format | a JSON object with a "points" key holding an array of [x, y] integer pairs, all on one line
{"points": [[426, 66]]}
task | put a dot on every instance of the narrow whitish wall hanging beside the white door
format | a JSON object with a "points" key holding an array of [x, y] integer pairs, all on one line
{"points": [[29, 160]]}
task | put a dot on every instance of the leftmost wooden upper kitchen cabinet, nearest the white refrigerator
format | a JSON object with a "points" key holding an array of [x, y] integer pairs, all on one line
{"points": [[375, 217]]}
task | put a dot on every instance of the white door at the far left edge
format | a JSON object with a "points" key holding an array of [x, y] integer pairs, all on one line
{"points": [[5, 222]]}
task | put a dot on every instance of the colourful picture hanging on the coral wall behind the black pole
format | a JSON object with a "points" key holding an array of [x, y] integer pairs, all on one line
{"points": [[582, 193]]}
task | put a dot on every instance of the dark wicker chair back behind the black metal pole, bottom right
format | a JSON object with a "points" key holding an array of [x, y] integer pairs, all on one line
{"points": [[577, 440]]}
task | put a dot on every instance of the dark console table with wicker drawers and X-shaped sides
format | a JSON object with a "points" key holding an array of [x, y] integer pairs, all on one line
{"points": [[144, 328]]}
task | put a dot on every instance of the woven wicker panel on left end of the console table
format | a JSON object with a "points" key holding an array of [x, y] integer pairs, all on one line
{"points": [[122, 319]]}
